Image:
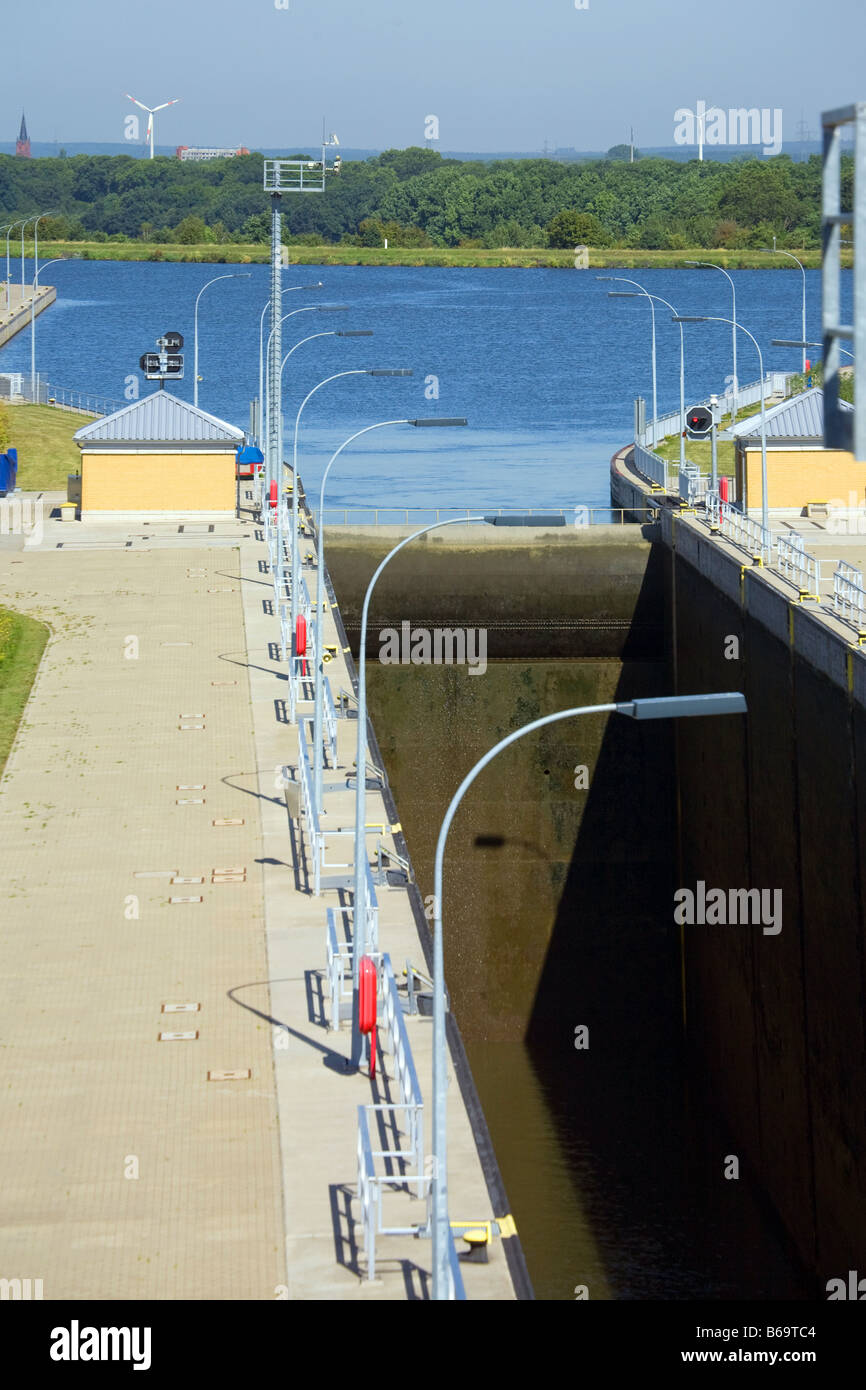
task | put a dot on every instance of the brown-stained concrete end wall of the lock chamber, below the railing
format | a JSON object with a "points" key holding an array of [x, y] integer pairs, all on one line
{"points": [[547, 882]]}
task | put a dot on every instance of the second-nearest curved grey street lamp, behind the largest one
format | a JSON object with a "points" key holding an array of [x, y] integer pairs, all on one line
{"points": [[361, 761]]}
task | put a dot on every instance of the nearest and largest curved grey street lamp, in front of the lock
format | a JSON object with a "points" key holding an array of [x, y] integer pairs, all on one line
{"points": [[675, 707]]}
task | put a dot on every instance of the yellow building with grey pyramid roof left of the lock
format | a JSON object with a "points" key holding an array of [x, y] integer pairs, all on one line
{"points": [[158, 459]]}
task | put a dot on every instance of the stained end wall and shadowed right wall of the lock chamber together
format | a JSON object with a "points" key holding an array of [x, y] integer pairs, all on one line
{"points": [[551, 889]]}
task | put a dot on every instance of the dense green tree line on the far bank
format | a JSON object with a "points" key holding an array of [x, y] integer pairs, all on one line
{"points": [[418, 198]]}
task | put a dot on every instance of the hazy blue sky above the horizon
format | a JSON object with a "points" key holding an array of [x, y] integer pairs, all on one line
{"points": [[498, 74]]}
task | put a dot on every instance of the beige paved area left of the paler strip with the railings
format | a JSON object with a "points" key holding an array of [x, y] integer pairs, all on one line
{"points": [[124, 1172]]}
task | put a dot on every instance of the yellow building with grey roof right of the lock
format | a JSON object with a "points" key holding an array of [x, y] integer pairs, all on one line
{"points": [[800, 471]]}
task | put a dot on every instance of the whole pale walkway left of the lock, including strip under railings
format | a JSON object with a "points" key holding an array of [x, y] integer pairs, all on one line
{"points": [[124, 1171]]}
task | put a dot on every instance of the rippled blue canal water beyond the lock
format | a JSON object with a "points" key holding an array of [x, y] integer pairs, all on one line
{"points": [[541, 362]]}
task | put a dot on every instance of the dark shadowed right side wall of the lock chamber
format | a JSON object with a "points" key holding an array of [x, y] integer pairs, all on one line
{"points": [[778, 1020]]}
